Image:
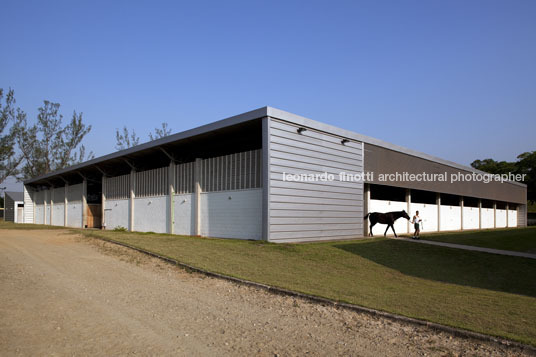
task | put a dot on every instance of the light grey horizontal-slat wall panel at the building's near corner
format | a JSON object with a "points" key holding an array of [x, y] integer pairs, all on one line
{"points": [[308, 211]]}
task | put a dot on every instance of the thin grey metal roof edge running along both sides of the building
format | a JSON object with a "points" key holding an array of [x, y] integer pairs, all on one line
{"points": [[252, 115]]}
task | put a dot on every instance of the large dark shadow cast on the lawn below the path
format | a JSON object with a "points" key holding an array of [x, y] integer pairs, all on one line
{"points": [[455, 266]]}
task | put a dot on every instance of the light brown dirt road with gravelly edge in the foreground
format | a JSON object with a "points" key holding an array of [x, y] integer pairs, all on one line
{"points": [[65, 295]]}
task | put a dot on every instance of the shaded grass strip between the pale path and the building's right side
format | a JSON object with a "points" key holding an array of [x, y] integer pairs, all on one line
{"points": [[516, 239]]}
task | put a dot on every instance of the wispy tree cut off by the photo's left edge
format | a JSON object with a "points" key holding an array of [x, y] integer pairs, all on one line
{"points": [[10, 118]]}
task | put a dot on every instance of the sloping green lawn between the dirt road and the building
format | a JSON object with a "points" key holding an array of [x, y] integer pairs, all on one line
{"points": [[481, 292]]}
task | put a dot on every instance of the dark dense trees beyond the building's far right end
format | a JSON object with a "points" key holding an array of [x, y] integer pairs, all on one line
{"points": [[525, 164]]}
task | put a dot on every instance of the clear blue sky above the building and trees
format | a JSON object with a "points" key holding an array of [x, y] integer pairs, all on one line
{"points": [[455, 79]]}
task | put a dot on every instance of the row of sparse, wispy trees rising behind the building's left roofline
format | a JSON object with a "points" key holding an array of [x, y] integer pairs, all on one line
{"points": [[30, 148]]}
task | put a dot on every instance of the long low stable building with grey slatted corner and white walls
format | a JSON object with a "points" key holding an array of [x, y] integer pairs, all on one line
{"points": [[227, 179]]}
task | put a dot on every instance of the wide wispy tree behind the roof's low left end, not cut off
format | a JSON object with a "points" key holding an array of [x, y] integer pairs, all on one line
{"points": [[48, 145]]}
